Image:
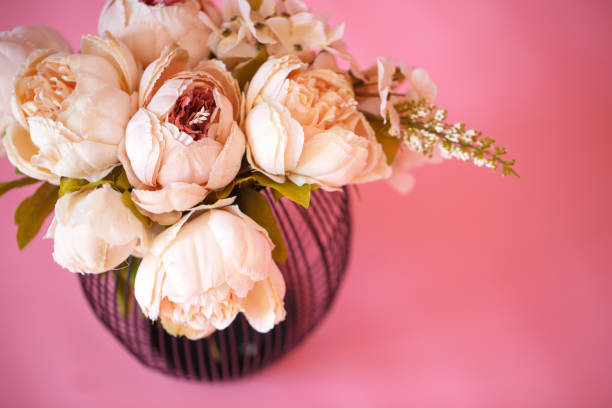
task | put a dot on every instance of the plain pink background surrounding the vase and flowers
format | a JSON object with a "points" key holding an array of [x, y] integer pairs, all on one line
{"points": [[474, 291]]}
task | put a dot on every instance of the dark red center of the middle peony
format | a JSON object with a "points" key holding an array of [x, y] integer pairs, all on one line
{"points": [[193, 112]]}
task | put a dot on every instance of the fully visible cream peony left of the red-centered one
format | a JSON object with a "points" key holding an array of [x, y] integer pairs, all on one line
{"points": [[75, 108]]}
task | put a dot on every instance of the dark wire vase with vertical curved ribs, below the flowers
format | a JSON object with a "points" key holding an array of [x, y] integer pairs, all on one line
{"points": [[318, 244]]}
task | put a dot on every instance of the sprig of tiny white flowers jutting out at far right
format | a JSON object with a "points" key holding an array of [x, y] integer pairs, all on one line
{"points": [[424, 129]]}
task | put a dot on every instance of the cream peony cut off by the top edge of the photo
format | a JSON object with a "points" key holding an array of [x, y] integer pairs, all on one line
{"points": [[148, 26]]}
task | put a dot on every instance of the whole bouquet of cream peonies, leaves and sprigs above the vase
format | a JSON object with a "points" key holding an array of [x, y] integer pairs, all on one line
{"points": [[153, 144]]}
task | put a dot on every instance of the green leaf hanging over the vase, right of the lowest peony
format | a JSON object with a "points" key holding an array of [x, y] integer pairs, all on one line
{"points": [[256, 206]]}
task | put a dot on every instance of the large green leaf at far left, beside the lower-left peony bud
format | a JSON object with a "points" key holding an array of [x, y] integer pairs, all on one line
{"points": [[33, 211]]}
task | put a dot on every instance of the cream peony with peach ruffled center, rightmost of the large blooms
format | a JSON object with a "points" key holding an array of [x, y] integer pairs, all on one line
{"points": [[304, 125]]}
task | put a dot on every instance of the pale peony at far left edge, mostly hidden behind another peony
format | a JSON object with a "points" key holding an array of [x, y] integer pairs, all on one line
{"points": [[15, 47]]}
